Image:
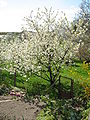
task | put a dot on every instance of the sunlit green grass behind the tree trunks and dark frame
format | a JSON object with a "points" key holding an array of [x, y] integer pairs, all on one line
{"points": [[34, 83]]}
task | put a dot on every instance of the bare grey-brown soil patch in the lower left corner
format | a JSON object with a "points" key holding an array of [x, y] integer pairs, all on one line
{"points": [[17, 110]]}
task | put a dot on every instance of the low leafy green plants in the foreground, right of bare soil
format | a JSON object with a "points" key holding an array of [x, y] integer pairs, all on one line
{"points": [[61, 109]]}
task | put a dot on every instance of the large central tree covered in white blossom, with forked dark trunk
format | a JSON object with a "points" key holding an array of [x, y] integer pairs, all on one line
{"points": [[51, 43]]}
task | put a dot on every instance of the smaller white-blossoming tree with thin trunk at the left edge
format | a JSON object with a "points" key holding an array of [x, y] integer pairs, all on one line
{"points": [[8, 53]]}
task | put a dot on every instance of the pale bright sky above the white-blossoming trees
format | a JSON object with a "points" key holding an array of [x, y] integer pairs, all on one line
{"points": [[12, 12]]}
